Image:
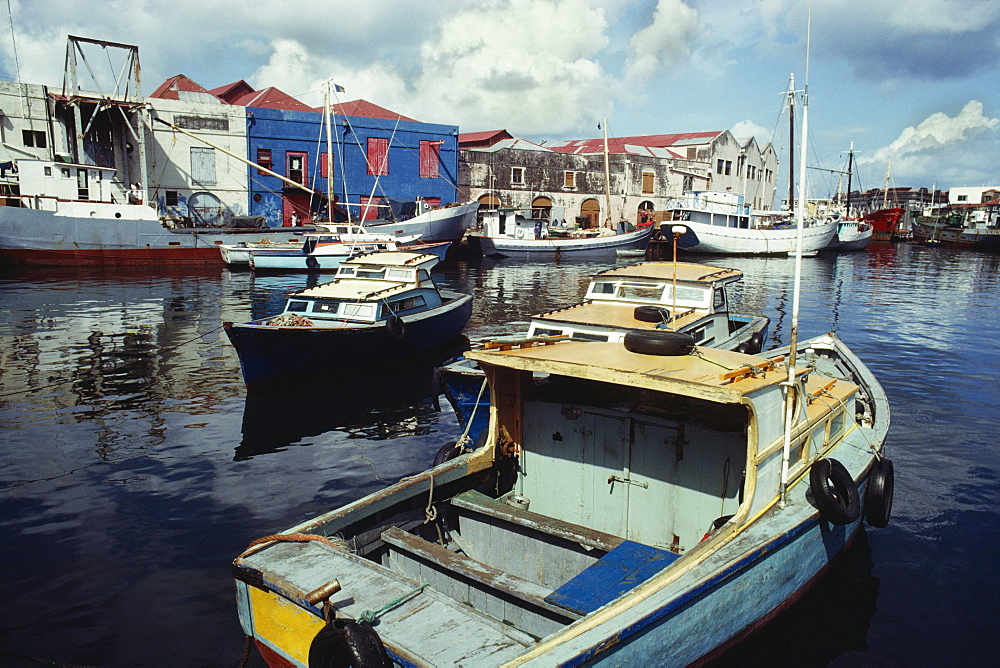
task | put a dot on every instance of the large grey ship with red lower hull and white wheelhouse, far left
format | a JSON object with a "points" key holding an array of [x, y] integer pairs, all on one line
{"points": [[66, 214]]}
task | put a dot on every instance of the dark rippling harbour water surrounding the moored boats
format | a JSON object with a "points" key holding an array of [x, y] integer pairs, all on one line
{"points": [[135, 465]]}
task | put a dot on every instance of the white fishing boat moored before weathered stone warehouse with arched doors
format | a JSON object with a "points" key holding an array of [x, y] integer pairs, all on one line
{"points": [[510, 233]]}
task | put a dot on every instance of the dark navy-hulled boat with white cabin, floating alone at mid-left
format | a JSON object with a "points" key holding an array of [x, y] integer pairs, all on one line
{"points": [[381, 308]]}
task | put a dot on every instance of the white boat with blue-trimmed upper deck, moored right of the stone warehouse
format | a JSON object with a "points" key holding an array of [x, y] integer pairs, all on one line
{"points": [[721, 224]]}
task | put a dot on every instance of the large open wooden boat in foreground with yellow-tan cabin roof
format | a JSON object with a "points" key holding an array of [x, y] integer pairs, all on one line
{"points": [[635, 502]]}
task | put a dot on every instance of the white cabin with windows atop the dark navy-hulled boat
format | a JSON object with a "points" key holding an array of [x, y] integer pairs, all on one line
{"points": [[369, 289]]}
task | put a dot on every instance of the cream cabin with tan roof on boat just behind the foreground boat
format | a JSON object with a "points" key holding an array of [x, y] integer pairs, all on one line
{"points": [[643, 296]]}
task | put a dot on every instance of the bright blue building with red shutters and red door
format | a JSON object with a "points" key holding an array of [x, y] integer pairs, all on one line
{"points": [[377, 154]]}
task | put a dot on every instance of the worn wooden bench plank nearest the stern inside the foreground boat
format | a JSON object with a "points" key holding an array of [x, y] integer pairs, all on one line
{"points": [[474, 570]]}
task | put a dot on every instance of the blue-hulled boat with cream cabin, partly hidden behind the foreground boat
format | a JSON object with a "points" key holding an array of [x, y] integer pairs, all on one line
{"points": [[646, 297]]}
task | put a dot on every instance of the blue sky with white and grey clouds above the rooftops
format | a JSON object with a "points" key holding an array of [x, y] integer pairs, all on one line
{"points": [[914, 84]]}
